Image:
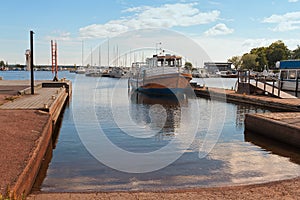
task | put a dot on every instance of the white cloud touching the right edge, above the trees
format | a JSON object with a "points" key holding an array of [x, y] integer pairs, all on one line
{"points": [[287, 22]]}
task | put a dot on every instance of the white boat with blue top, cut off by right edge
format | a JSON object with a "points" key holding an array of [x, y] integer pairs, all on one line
{"points": [[289, 75]]}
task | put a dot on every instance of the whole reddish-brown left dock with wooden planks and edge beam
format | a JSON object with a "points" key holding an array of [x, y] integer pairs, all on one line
{"points": [[26, 126]]}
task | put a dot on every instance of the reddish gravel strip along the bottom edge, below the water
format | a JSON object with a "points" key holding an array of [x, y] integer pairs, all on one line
{"points": [[287, 189]]}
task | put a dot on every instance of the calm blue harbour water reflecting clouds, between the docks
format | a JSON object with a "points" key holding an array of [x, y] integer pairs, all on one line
{"points": [[141, 125]]}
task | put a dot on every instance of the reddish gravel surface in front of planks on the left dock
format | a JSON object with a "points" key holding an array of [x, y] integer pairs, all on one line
{"points": [[19, 132]]}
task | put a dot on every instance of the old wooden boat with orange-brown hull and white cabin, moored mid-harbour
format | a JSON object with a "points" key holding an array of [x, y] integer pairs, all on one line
{"points": [[160, 75]]}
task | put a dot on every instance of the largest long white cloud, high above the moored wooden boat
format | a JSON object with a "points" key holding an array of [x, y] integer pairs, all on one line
{"points": [[165, 16]]}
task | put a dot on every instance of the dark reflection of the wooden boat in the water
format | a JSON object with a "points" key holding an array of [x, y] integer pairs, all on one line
{"points": [[161, 113]]}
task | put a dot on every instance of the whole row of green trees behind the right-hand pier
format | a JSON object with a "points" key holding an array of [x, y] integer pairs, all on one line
{"points": [[265, 57]]}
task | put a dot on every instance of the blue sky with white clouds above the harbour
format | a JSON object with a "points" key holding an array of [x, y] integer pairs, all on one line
{"points": [[221, 28]]}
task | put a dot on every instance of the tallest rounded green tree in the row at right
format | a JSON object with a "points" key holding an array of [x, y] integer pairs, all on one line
{"points": [[275, 52]]}
